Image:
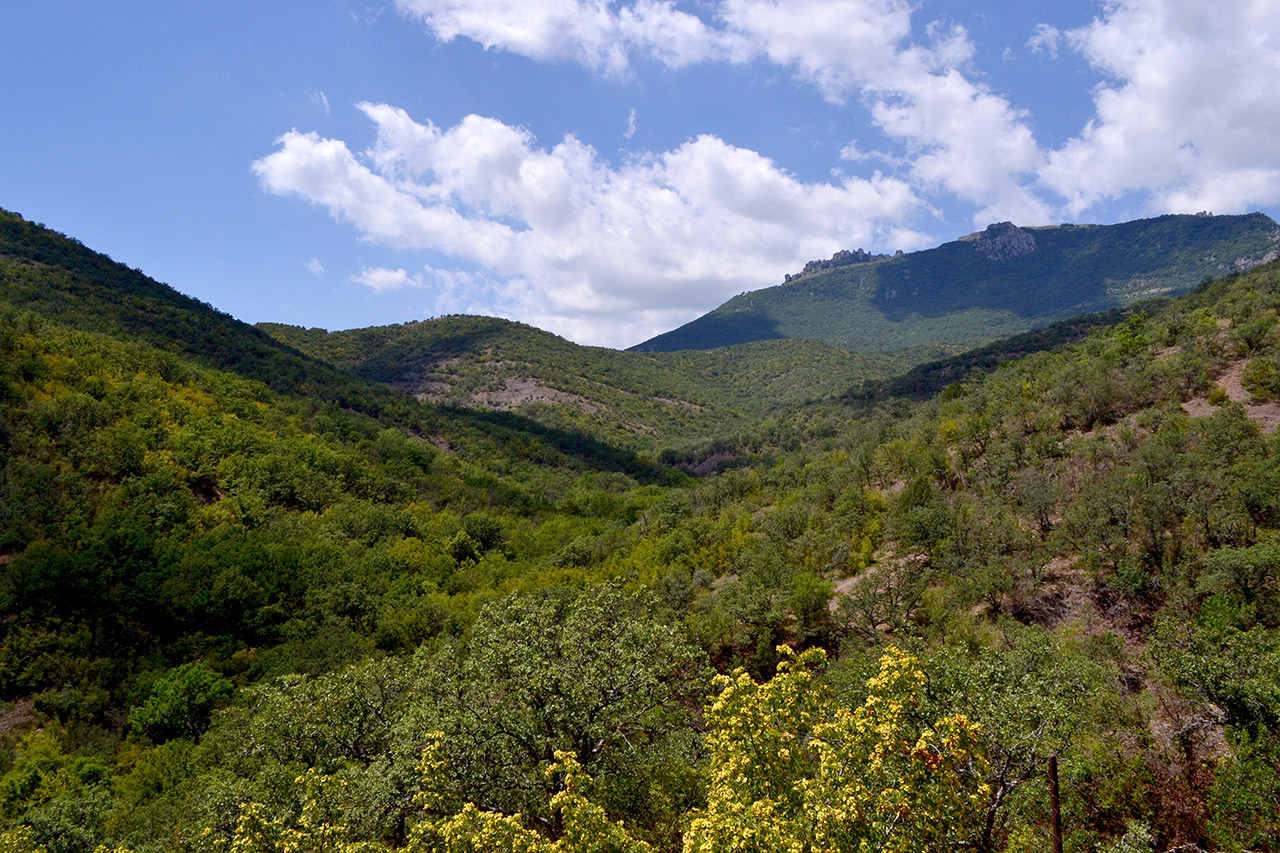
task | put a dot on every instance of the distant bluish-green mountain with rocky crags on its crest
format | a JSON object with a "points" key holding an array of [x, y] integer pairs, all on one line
{"points": [[986, 286]]}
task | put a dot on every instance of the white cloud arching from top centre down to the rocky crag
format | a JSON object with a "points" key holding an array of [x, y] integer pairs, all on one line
{"points": [[963, 139]]}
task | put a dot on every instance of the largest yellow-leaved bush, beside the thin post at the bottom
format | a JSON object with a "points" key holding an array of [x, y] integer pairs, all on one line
{"points": [[794, 773]]}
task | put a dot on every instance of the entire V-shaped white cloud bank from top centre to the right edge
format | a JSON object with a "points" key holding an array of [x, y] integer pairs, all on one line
{"points": [[1186, 115]]}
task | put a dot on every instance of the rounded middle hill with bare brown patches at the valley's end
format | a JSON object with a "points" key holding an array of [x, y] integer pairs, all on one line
{"points": [[487, 363]]}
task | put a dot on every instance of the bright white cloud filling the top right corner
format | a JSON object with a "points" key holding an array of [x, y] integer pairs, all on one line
{"points": [[1188, 117]]}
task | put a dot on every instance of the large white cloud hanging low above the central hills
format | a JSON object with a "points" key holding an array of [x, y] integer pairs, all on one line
{"points": [[604, 254]]}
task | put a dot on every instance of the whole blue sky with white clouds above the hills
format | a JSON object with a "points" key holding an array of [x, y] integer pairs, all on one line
{"points": [[604, 170]]}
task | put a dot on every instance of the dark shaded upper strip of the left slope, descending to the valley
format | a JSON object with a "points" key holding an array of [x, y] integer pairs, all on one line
{"points": [[53, 276]]}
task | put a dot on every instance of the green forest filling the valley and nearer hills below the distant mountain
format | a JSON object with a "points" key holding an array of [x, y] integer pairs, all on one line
{"points": [[262, 594]]}
